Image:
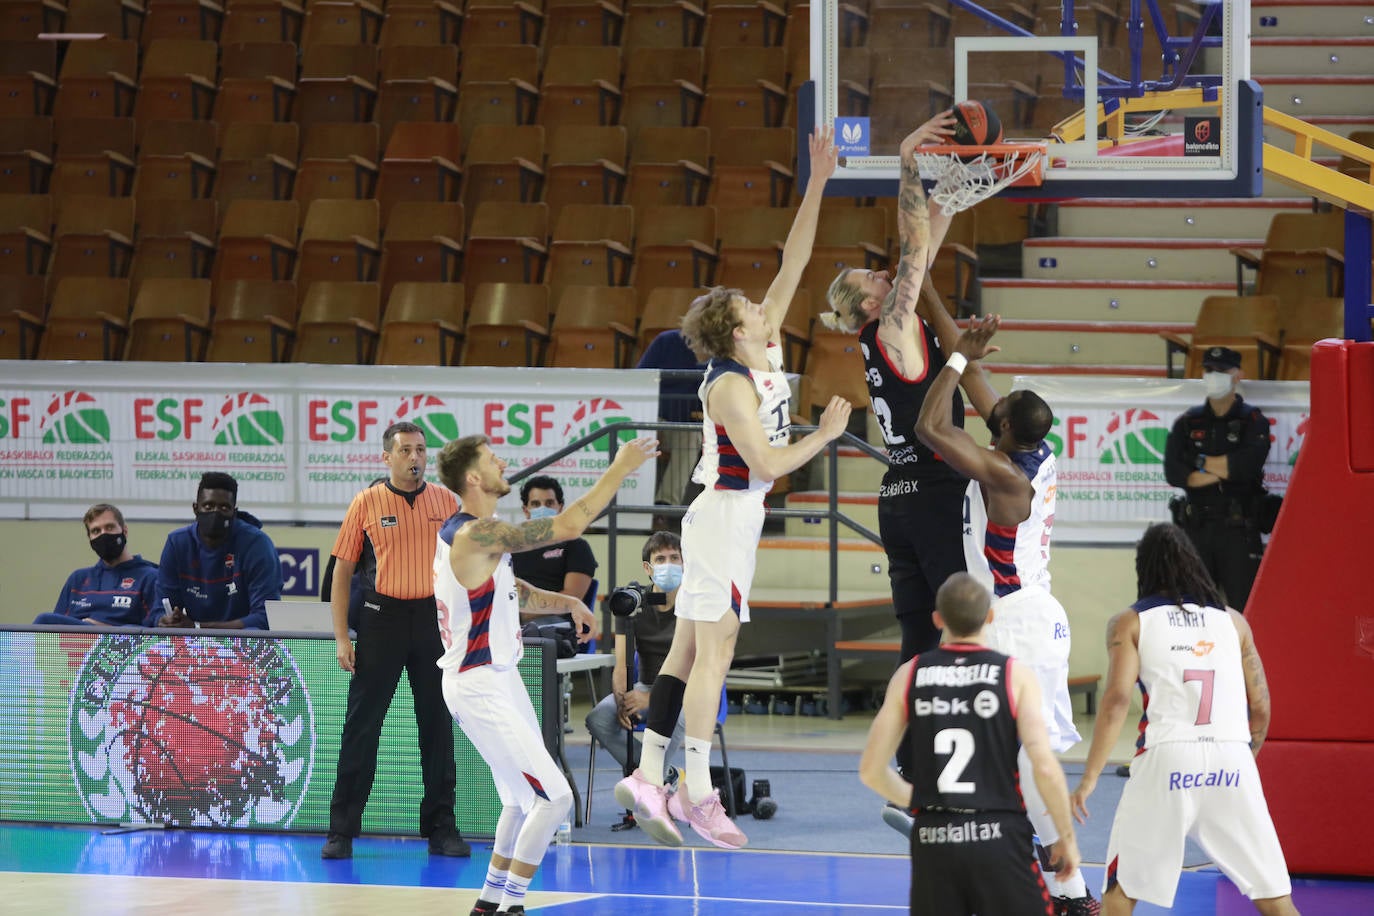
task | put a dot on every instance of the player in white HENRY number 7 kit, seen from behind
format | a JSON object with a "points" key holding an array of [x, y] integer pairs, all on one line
{"points": [[1207, 712]]}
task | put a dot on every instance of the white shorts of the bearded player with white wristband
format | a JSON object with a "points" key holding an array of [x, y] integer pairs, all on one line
{"points": [[1031, 627]]}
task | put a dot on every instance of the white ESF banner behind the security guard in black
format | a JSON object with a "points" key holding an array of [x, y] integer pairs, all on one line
{"points": [[1110, 437]]}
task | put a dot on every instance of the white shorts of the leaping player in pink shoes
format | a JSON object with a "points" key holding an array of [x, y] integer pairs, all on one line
{"points": [[721, 543]]}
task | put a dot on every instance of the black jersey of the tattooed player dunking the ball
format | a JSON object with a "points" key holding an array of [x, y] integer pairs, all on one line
{"points": [[897, 404]]}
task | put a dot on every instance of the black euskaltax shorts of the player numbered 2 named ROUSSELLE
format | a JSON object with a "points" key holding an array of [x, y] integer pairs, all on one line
{"points": [[986, 865]]}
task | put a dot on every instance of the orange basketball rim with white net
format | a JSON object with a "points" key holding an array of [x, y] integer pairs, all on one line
{"points": [[965, 176]]}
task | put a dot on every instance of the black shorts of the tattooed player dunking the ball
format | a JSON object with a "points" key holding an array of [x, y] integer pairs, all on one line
{"points": [[923, 534]]}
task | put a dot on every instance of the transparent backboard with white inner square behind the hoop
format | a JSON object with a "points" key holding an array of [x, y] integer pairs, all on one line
{"points": [[1136, 98]]}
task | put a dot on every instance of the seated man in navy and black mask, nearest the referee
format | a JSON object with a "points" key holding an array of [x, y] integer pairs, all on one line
{"points": [[223, 569]]}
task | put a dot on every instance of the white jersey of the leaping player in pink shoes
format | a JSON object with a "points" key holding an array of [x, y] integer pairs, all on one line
{"points": [[722, 466]]}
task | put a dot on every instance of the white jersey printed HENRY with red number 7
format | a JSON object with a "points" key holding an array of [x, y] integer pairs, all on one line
{"points": [[1192, 679]]}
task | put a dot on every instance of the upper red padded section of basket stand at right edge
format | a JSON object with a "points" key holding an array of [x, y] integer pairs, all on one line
{"points": [[1311, 612]]}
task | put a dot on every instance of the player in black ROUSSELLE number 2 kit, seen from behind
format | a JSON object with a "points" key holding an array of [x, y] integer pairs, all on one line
{"points": [[969, 711]]}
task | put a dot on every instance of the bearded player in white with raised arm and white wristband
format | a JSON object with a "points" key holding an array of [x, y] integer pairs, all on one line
{"points": [[1019, 481]]}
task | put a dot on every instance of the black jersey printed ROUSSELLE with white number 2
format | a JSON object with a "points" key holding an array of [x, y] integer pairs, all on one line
{"points": [[962, 727]]}
